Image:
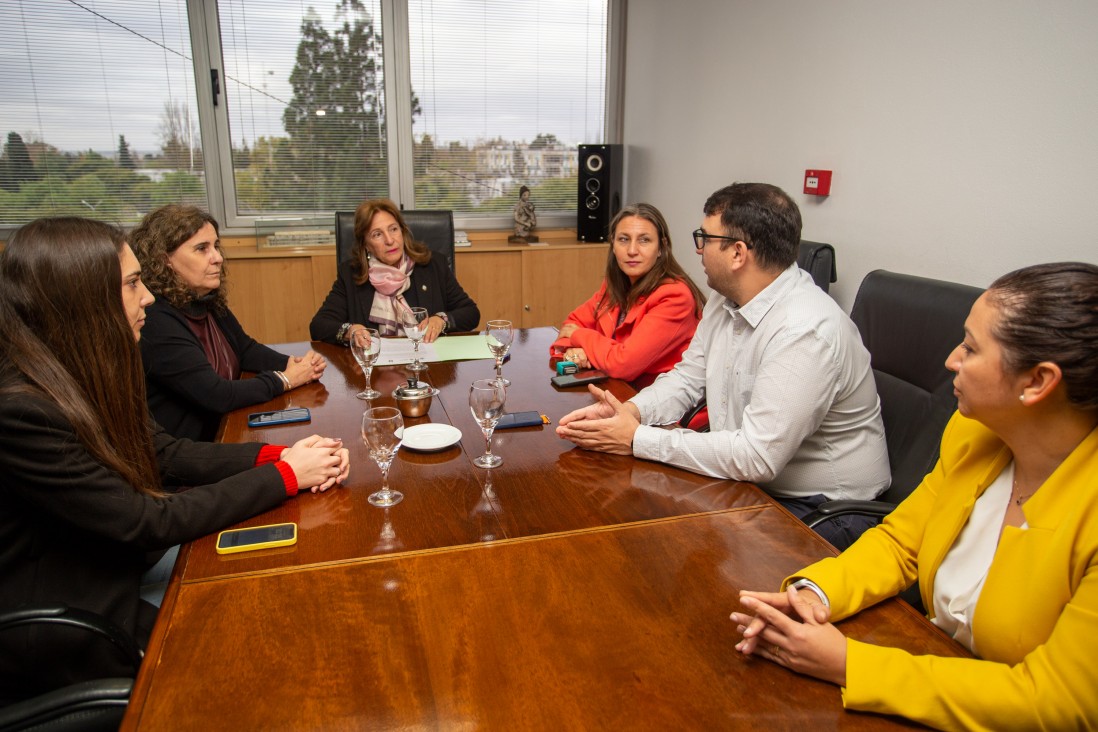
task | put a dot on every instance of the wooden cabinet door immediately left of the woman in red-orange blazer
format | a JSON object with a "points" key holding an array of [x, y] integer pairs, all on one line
{"points": [[556, 283]]}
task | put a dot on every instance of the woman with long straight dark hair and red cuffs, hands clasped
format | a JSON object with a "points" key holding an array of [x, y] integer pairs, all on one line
{"points": [[89, 482]]}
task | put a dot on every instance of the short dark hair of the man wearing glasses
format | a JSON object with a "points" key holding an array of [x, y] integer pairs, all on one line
{"points": [[761, 216]]}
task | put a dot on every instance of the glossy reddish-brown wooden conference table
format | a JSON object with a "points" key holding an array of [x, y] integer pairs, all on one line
{"points": [[564, 590]]}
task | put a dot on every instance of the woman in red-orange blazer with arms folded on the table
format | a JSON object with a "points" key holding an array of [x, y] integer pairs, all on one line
{"points": [[645, 314]]}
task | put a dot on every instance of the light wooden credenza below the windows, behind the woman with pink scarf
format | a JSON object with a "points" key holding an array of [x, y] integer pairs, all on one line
{"points": [[275, 294]]}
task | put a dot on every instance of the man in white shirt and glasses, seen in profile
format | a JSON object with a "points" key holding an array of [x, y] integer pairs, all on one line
{"points": [[793, 406]]}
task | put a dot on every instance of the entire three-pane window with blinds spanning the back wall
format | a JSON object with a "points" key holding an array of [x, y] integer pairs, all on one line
{"points": [[286, 108]]}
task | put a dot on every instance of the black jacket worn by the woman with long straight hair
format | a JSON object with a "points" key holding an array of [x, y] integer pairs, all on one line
{"points": [[75, 533]]}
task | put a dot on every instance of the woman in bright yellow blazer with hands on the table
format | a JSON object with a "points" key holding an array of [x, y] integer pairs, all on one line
{"points": [[1003, 536]]}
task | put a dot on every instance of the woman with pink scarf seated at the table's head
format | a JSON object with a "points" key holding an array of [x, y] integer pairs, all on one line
{"points": [[388, 274]]}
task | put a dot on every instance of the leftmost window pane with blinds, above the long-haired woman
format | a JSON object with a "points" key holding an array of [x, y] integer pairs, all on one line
{"points": [[99, 114]]}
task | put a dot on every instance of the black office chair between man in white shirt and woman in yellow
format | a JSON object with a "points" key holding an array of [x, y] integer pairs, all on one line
{"points": [[910, 325]]}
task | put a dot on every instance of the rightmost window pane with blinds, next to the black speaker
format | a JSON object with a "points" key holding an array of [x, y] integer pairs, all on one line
{"points": [[503, 95]]}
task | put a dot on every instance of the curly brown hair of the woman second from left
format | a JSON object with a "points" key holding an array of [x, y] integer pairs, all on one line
{"points": [[160, 234]]}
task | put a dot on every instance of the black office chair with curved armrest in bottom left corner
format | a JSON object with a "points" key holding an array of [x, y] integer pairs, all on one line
{"points": [[94, 705]]}
